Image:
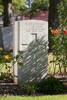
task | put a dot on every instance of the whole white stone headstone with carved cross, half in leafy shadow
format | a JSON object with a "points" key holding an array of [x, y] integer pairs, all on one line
{"points": [[31, 37]]}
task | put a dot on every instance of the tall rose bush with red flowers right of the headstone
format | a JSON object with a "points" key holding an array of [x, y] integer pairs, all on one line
{"points": [[59, 47]]}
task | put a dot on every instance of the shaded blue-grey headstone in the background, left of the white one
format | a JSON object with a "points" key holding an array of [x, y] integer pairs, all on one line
{"points": [[7, 38]]}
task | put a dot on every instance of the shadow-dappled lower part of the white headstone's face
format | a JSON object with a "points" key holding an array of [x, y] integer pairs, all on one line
{"points": [[35, 59]]}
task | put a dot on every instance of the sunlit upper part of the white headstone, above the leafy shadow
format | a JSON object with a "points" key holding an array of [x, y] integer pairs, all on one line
{"points": [[30, 30]]}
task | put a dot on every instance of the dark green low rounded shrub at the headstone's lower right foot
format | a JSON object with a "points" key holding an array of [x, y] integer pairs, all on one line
{"points": [[51, 86]]}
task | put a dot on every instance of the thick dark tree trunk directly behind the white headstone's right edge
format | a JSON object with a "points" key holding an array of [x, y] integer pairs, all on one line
{"points": [[53, 18]]}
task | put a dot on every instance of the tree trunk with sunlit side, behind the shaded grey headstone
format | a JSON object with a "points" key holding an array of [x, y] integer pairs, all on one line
{"points": [[7, 12]]}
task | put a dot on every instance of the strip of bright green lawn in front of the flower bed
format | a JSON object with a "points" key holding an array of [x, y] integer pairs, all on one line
{"points": [[57, 97]]}
